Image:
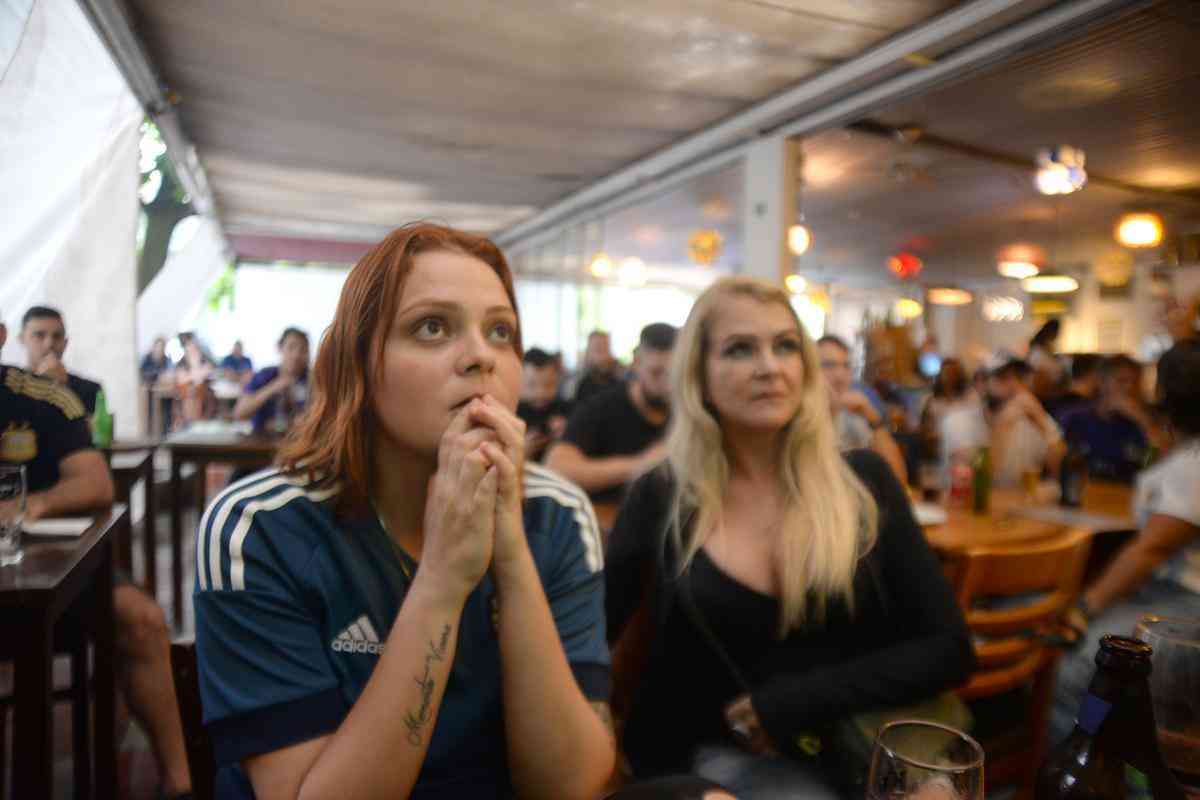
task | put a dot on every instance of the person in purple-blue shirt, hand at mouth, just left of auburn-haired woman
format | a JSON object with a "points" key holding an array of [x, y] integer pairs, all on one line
{"points": [[275, 396]]}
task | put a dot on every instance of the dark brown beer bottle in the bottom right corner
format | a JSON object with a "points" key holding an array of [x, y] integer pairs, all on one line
{"points": [[1113, 753]]}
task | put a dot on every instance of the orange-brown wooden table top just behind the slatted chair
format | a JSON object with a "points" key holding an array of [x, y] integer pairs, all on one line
{"points": [[1015, 519]]}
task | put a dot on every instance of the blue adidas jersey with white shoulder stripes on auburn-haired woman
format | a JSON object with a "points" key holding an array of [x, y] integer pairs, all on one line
{"points": [[293, 609]]}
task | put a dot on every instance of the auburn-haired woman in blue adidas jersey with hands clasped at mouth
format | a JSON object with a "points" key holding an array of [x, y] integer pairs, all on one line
{"points": [[404, 607]]}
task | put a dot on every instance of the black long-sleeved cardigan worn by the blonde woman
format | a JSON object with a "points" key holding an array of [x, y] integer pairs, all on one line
{"points": [[905, 641]]}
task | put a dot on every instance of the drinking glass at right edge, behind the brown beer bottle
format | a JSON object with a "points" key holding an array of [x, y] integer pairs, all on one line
{"points": [[1175, 690]]}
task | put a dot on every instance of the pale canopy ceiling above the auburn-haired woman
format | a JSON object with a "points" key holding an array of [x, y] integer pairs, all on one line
{"points": [[329, 121]]}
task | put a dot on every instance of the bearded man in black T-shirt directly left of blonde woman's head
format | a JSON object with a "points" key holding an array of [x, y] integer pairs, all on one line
{"points": [[616, 435]]}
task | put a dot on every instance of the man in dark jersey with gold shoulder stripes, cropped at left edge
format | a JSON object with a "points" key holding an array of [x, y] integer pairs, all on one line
{"points": [[44, 426]]}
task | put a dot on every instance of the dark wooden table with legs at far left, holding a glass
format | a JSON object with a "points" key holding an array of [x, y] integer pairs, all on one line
{"points": [[58, 575]]}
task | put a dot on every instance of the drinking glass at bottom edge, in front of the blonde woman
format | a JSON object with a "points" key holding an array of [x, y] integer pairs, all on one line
{"points": [[925, 761]]}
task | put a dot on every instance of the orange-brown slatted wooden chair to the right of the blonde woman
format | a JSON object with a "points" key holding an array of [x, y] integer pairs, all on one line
{"points": [[1011, 645]]}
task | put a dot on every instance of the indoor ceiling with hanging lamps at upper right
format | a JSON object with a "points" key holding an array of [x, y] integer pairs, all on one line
{"points": [[1125, 92]]}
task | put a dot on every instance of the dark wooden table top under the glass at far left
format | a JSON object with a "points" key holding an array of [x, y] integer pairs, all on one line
{"points": [[51, 561]]}
